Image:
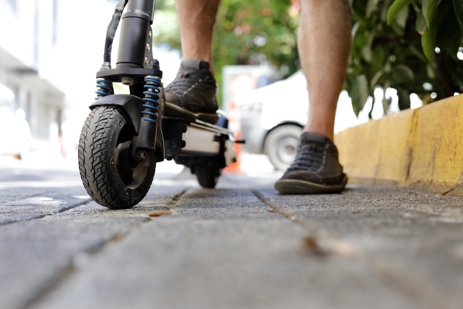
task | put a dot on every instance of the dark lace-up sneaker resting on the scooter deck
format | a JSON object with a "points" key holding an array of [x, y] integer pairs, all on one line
{"points": [[194, 88]]}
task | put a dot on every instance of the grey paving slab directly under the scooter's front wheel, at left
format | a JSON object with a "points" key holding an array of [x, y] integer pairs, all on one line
{"points": [[37, 254]]}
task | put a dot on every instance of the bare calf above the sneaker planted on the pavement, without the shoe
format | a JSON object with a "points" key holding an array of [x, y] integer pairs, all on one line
{"points": [[324, 45]]}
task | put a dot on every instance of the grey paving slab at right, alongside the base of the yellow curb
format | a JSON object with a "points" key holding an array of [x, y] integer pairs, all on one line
{"points": [[398, 228]]}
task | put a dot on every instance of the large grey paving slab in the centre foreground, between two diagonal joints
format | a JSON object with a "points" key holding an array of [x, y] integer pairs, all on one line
{"points": [[210, 256]]}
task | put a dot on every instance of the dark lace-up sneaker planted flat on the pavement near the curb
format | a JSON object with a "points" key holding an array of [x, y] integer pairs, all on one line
{"points": [[316, 168]]}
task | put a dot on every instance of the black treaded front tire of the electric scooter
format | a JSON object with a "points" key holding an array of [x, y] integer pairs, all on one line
{"points": [[104, 165]]}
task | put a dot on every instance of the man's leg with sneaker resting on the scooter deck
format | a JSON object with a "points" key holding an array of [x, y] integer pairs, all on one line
{"points": [[195, 88]]}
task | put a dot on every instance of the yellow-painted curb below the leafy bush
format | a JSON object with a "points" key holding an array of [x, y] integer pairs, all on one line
{"points": [[419, 148]]}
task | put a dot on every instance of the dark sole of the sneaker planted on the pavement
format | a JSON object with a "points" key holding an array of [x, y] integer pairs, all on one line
{"points": [[292, 186]]}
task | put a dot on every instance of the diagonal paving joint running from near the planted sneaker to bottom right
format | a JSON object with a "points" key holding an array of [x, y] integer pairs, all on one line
{"points": [[415, 288]]}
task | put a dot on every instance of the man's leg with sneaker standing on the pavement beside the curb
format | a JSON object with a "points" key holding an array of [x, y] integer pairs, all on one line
{"points": [[324, 44]]}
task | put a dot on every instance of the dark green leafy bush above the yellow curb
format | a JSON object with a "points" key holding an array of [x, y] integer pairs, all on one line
{"points": [[409, 45]]}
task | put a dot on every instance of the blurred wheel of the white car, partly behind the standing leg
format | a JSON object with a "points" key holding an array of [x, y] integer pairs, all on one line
{"points": [[281, 145]]}
